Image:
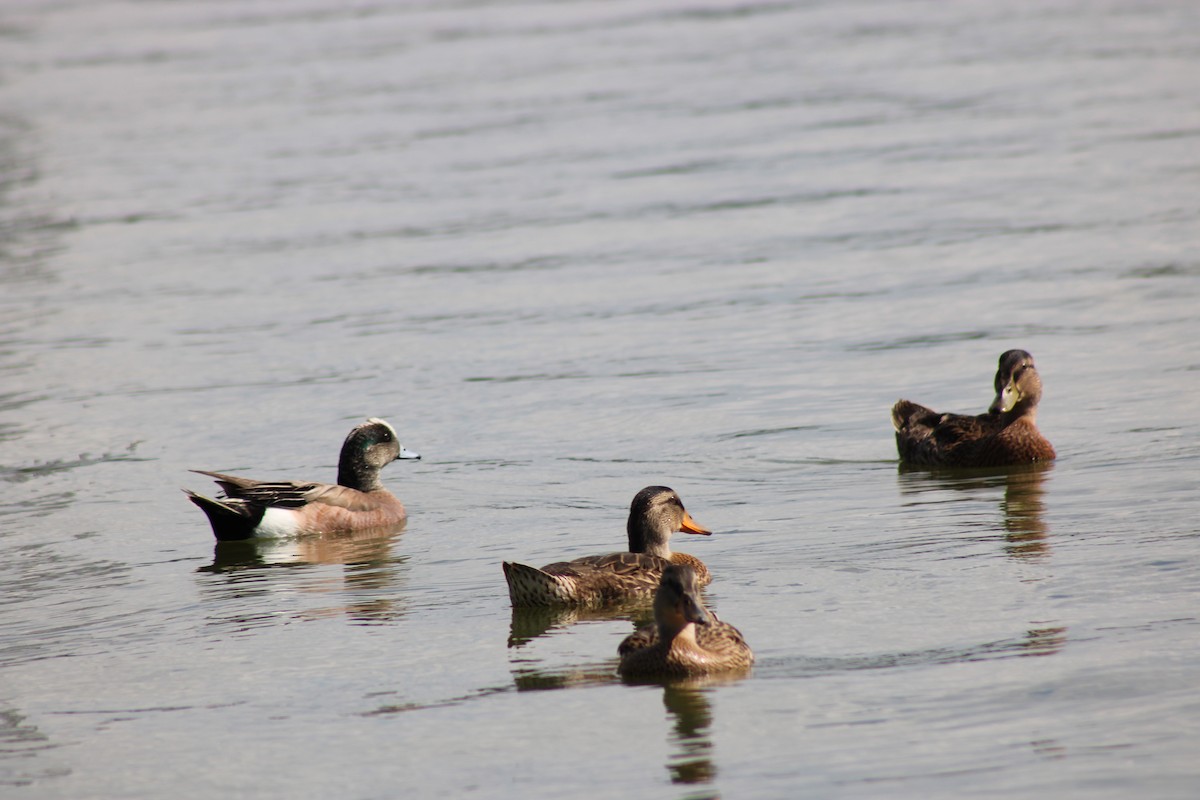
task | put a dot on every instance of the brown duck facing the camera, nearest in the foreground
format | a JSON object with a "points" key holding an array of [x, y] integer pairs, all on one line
{"points": [[686, 640]]}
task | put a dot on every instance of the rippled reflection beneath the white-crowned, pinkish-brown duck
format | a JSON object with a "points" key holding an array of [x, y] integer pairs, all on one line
{"points": [[257, 569]]}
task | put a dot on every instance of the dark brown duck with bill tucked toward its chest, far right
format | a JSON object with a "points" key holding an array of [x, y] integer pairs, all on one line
{"points": [[1007, 435]]}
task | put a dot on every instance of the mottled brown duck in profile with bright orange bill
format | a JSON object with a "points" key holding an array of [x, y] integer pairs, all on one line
{"points": [[656, 513]]}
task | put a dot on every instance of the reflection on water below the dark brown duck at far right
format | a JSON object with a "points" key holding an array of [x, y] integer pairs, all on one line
{"points": [[1023, 508]]}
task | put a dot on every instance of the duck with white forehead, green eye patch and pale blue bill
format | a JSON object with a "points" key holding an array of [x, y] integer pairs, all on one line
{"points": [[251, 509]]}
